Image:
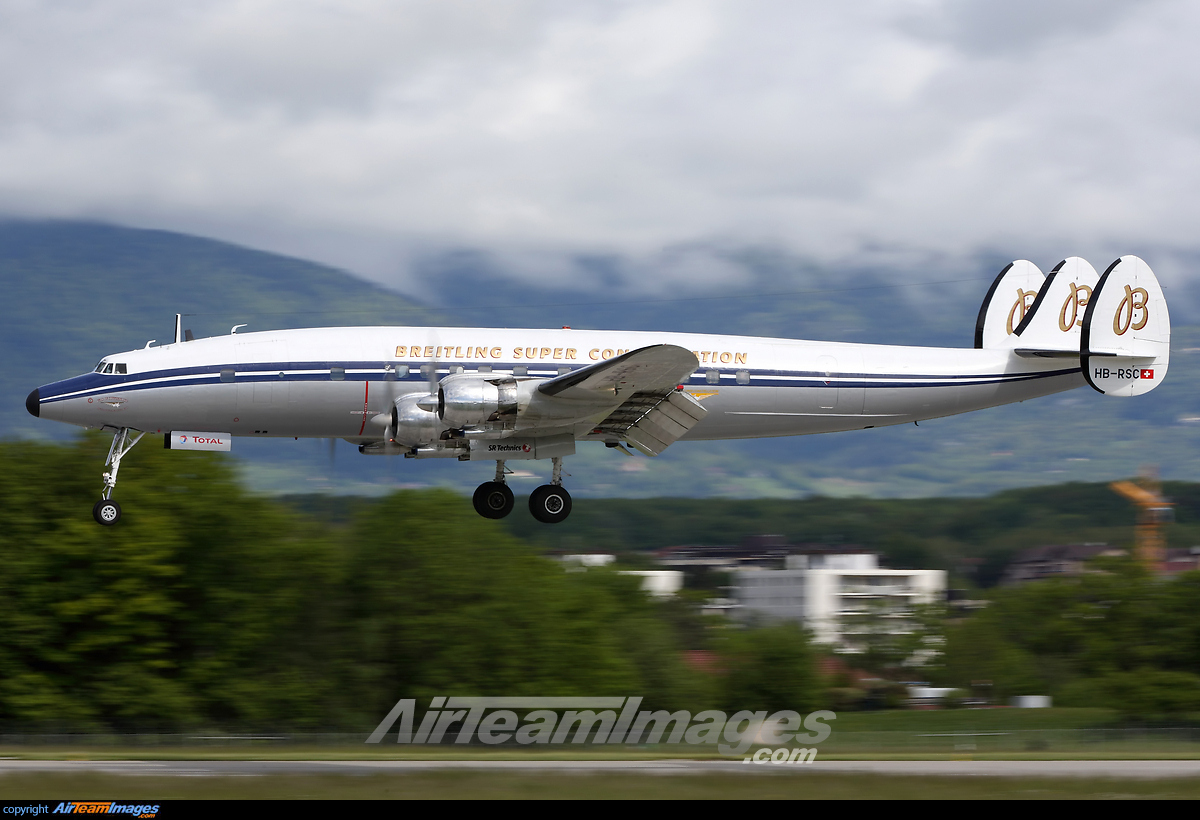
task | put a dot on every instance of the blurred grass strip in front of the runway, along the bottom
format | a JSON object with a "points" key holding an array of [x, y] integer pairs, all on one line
{"points": [[487, 786]]}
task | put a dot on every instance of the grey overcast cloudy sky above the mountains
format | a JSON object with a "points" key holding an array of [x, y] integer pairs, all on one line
{"points": [[662, 134]]}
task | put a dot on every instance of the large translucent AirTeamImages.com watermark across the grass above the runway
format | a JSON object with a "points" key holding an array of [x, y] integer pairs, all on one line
{"points": [[608, 722]]}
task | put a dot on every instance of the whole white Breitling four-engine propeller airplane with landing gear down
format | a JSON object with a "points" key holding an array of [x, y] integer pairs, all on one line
{"points": [[499, 396]]}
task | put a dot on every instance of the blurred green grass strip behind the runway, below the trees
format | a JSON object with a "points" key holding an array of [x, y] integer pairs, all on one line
{"points": [[981, 734]]}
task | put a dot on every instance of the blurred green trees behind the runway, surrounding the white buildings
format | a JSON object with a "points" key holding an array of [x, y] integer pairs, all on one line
{"points": [[209, 607]]}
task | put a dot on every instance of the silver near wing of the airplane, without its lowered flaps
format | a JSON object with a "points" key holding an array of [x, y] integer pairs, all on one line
{"points": [[655, 368]]}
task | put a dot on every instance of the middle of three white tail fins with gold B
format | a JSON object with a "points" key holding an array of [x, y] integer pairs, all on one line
{"points": [[1053, 325]]}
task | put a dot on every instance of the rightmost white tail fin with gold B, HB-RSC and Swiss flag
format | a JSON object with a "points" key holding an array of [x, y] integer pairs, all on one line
{"points": [[1126, 338]]}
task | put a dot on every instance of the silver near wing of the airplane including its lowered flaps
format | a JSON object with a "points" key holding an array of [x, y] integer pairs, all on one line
{"points": [[653, 412]]}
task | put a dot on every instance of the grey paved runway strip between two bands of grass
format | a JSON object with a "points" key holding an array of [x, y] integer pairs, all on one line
{"points": [[1105, 769]]}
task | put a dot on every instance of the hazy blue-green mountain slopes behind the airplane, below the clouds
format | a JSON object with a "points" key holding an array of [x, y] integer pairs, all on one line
{"points": [[80, 291]]}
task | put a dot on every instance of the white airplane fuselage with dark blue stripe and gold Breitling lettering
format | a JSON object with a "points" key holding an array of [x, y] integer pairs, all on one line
{"points": [[332, 382]]}
